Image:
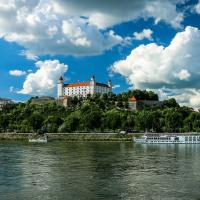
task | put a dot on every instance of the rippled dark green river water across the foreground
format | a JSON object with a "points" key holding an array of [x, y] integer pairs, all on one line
{"points": [[99, 170]]}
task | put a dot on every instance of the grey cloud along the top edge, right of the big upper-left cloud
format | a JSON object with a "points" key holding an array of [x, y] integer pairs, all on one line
{"points": [[105, 14]]}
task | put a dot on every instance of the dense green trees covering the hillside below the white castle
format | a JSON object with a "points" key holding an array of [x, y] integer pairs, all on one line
{"points": [[99, 113]]}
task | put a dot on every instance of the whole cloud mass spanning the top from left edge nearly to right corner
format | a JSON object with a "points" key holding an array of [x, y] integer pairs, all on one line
{"points": [[74, 27]]}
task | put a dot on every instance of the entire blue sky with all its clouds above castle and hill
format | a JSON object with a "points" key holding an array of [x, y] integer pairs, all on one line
{"points": [[138, 44]]}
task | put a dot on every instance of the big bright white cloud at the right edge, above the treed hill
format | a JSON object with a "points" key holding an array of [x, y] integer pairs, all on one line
{"points": [[173, 67]]}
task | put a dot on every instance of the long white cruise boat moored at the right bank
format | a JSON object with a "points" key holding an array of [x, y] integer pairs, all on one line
{"points": [[168, 139]]}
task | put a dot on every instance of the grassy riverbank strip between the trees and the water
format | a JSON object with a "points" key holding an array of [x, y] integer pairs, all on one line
{"points": [[70, 136]]}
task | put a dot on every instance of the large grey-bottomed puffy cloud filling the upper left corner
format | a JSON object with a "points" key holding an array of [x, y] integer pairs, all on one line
{"points": [[40, 29]]}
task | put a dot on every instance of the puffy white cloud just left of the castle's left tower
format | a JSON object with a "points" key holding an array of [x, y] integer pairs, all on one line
{"points": [[44, 80]]}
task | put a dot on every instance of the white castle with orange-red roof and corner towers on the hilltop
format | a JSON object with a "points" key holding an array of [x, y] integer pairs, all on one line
{"points": [[82, 89]]}
